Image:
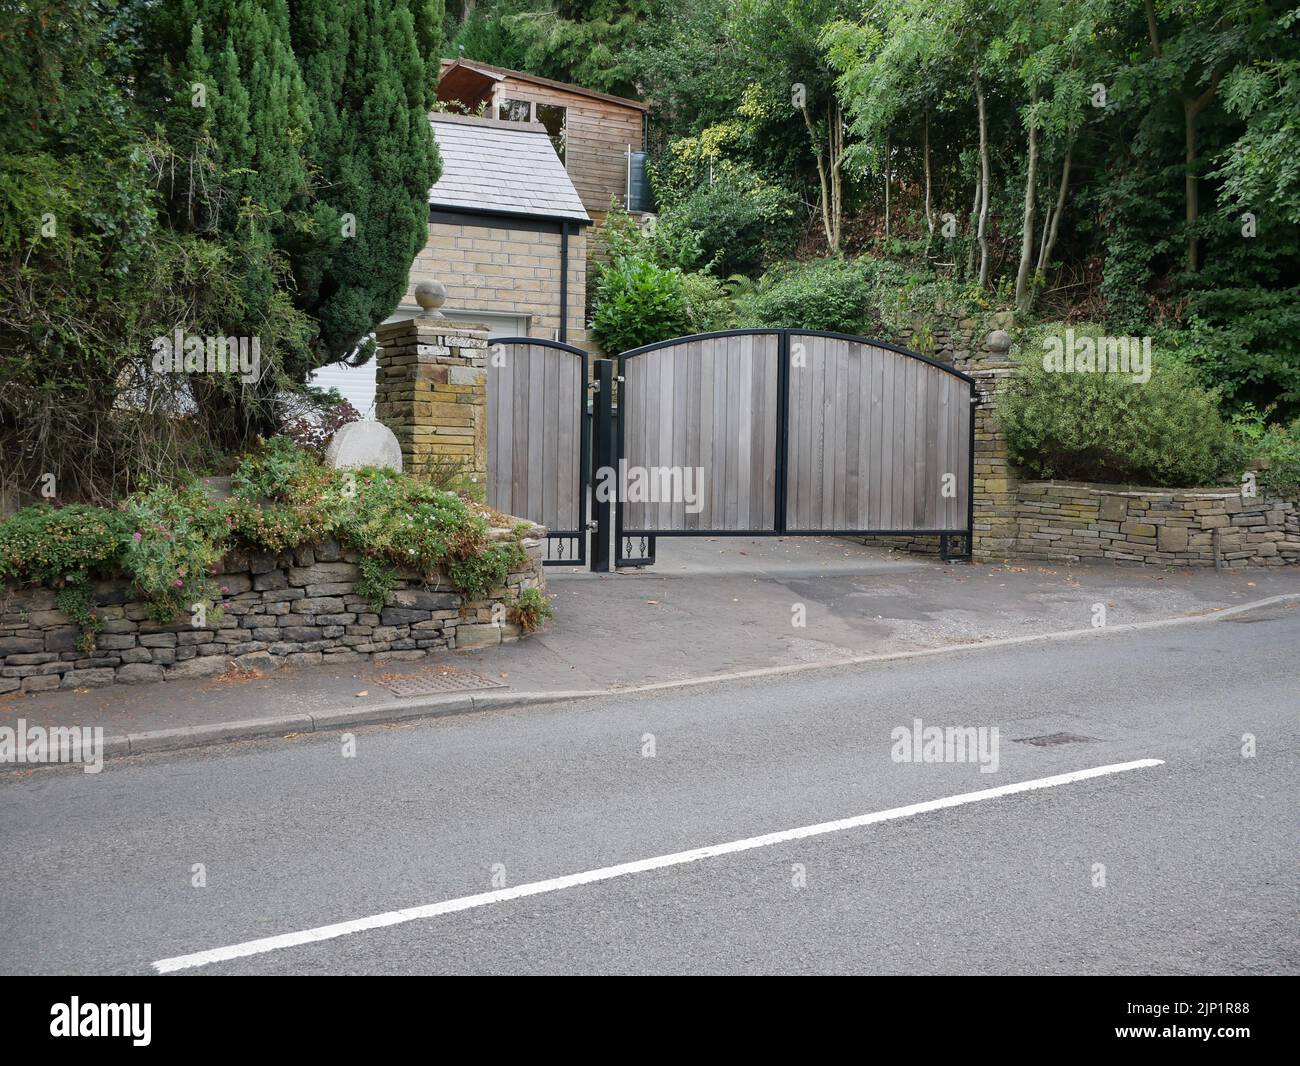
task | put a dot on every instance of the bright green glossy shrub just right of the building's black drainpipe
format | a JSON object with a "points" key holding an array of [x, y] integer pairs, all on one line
{"points": [[638, 304]]}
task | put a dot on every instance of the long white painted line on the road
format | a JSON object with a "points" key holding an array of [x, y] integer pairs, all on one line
{"points": [[622, 870]]}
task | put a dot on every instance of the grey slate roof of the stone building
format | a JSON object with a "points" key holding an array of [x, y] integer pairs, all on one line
{"points": [[501, 167]]}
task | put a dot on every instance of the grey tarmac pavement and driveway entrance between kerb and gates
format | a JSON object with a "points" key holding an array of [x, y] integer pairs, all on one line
{"points": [[710, 606]]}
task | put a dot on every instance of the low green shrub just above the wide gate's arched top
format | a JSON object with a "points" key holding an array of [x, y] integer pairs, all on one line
{"points": [[830, 294]]}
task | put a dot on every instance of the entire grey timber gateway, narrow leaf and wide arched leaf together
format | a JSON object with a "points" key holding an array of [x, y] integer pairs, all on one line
{"points": [[762, 432]]}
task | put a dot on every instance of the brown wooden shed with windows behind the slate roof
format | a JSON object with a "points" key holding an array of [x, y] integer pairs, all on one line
{"points": [[593, 133]]}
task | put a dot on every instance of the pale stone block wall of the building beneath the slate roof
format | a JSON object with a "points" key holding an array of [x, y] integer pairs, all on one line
{"points": [[508, 270]]}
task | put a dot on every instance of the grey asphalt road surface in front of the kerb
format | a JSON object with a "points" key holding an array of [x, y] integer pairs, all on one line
{"points": [[1199, 853]]}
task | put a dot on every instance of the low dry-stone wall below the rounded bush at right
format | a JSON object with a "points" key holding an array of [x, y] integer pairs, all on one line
{"points": [[1073, 522]]}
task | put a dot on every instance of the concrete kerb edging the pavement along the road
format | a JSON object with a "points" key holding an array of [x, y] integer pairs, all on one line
{"points": [[395, 712]]}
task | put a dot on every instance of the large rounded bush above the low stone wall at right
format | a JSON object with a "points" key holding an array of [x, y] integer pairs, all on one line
{"points": [[1106, 427]]}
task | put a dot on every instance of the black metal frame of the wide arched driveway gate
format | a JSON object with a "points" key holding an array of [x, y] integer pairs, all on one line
{"points": [[616, 450]]}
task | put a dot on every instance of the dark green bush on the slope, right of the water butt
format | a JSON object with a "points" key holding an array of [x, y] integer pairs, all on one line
{"points": [[740, 219]]}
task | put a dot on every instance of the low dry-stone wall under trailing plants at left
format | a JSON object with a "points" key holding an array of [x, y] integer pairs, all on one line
{"points": [[297, 608]]}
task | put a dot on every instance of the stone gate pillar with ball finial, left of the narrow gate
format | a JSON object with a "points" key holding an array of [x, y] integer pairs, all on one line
{"points": [[432, 391]]}
